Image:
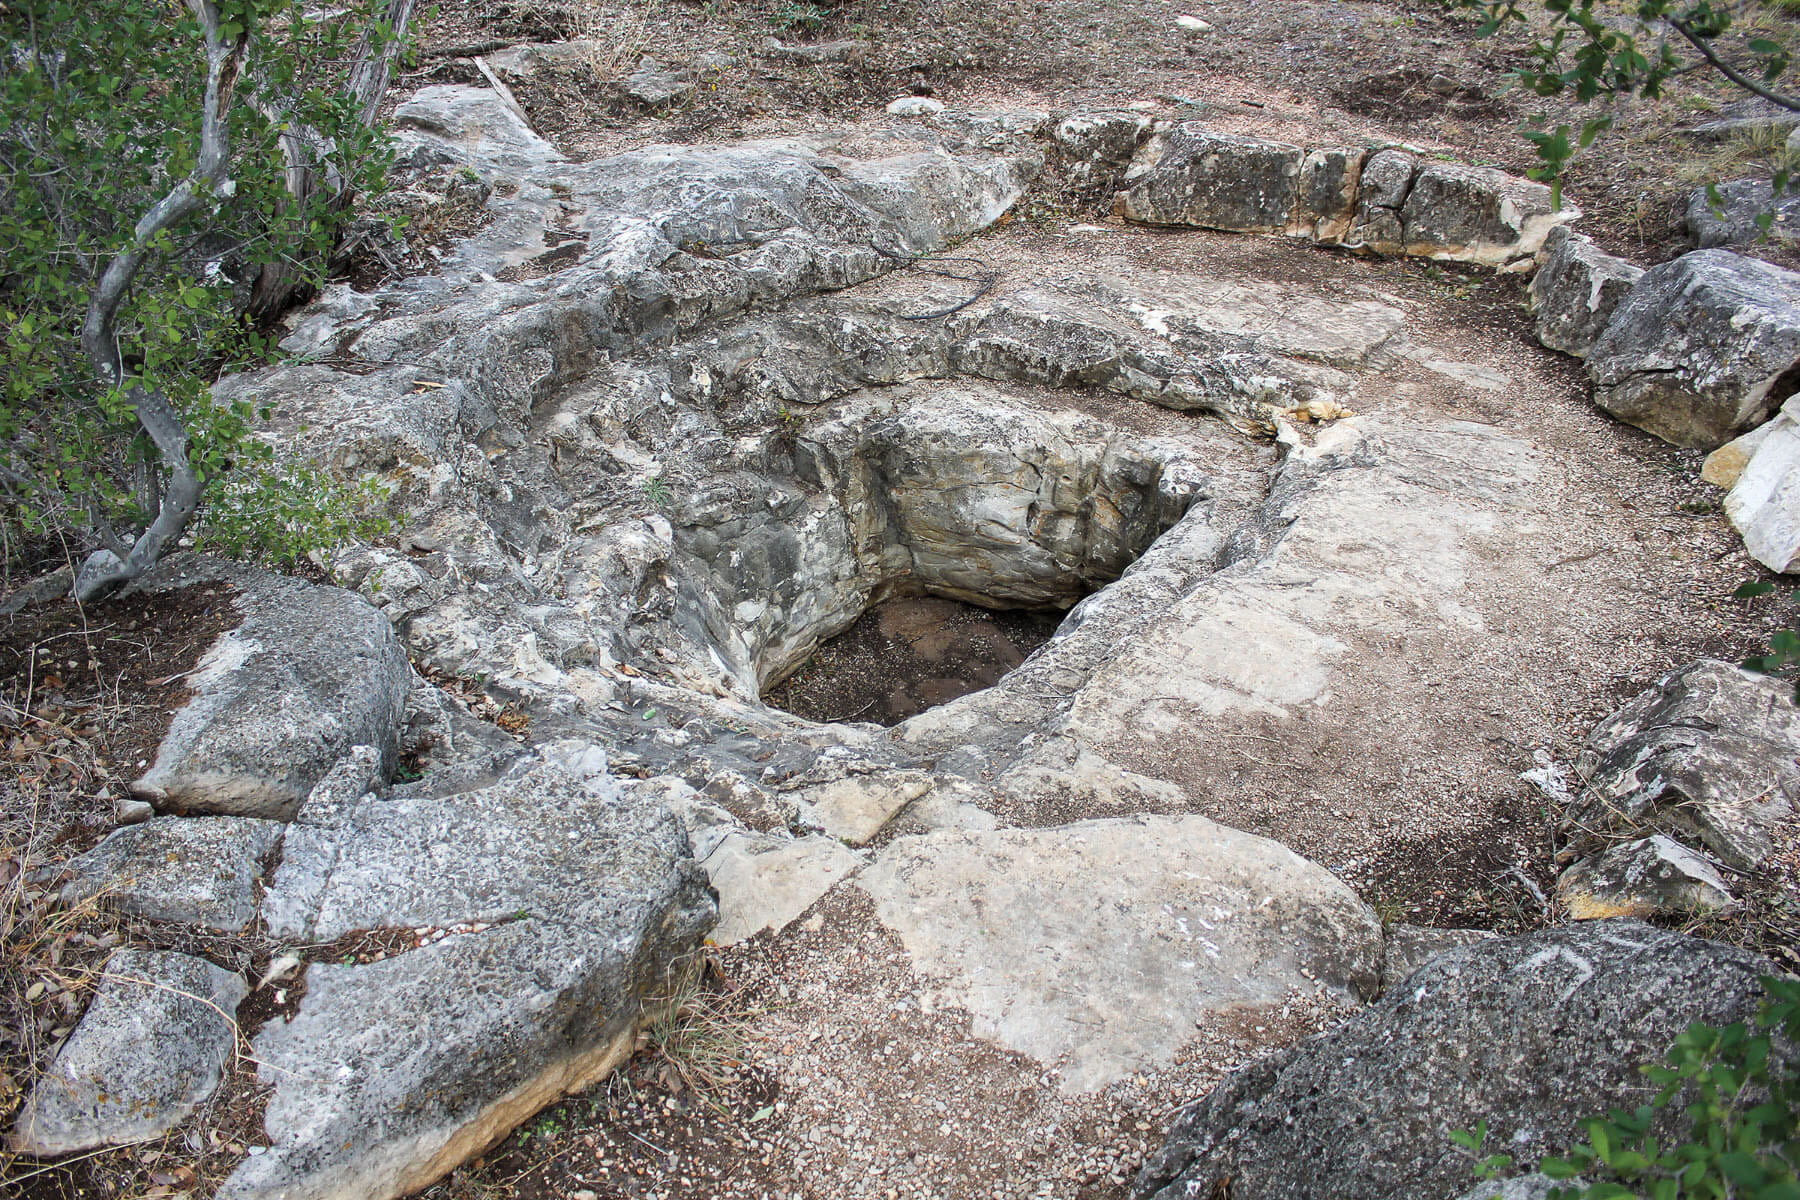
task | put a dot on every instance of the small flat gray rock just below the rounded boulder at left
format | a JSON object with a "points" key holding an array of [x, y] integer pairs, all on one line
{"points": [[193, 870]]}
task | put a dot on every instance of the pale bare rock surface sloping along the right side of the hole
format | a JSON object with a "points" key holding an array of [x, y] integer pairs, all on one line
{"points": [[1381, 555]]}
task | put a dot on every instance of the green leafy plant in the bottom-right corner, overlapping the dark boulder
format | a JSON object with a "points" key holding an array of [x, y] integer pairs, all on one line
{"points": [[1741, 1133]]}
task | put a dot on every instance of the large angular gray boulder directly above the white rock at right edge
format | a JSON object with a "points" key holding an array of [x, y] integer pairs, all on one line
{"points": [[1702, 350]]}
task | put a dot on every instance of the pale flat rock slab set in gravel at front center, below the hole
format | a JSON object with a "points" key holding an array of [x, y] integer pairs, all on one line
{"points": [[1101, 945]]}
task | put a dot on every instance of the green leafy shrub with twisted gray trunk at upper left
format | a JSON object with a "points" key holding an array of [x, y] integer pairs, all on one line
{"points": [[112, 114]]}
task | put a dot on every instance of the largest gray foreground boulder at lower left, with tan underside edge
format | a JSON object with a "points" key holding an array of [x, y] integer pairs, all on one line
{"points": [[568, 902]]}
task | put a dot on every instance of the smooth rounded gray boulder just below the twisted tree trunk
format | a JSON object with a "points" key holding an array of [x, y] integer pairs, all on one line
{"points": [[280, 701]]}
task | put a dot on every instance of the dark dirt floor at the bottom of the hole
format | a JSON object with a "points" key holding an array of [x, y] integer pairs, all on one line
{"points": [[912, 654]]}
